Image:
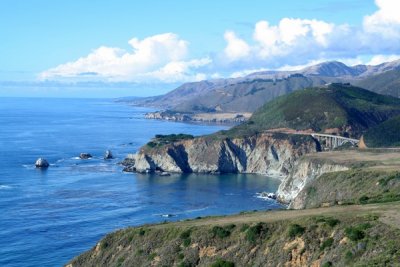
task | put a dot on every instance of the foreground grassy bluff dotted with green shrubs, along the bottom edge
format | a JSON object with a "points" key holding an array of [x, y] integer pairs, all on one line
{"points": [[345, 236]]}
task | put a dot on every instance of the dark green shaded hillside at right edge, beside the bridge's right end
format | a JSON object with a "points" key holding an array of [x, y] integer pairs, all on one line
{"points": [[386, 134]]}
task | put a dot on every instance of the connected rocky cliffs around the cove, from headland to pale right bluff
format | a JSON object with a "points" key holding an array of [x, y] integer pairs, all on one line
{"points": [[270, 154]]}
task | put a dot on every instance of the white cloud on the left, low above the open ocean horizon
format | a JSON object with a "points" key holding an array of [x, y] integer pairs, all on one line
{"points": [[155, 58]]}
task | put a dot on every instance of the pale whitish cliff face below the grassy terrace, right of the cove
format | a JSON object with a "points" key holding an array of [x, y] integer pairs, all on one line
{"points": [[304, 172]]}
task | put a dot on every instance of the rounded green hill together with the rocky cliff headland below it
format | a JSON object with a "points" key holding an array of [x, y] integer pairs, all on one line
{"points": [[258, 146]]}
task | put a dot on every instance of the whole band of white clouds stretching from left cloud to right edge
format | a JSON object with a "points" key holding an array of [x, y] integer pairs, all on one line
{"points": [[291, 43]]}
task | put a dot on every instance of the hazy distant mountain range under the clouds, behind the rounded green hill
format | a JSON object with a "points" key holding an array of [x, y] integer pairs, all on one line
{"points": [[248, 93]]}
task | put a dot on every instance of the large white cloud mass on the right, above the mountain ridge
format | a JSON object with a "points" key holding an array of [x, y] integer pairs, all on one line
{"points": [[297, 42]]}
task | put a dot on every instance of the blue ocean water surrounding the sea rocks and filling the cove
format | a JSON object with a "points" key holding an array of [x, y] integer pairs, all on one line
{"points": [[48, 217]]}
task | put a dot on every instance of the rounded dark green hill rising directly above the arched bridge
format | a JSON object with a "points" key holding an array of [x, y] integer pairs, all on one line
{"points": [[350, 109]]}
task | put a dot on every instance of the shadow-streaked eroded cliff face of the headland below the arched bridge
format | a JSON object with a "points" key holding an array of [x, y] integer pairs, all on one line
{"points": [[264, 154]]}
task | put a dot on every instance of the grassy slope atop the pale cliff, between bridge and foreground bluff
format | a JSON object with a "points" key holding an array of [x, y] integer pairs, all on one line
{"points": [[373, 176]]}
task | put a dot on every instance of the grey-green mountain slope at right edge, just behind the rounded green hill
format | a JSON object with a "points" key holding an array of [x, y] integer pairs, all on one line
{"points": [[387, 83]]}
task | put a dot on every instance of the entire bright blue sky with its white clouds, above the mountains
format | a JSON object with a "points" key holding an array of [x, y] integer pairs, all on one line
{"points": [[103, 48]]}
